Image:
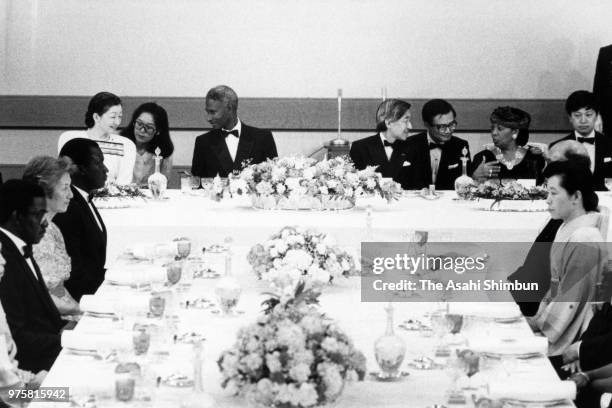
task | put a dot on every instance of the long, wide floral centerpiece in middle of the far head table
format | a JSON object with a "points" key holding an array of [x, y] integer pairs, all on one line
{"points": [[304, 183]]}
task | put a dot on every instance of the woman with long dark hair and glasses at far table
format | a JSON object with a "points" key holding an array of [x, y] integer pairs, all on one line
{"points": [[149, 130]]}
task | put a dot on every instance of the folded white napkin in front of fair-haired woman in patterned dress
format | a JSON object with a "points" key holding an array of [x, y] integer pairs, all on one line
{"points": [[132, 304]]}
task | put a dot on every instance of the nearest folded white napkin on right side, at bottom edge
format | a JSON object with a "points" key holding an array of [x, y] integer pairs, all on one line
{"points": [[532, 391]]}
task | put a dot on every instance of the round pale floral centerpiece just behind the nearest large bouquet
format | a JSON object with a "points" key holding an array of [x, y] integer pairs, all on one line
{"points": [[296, 255]]}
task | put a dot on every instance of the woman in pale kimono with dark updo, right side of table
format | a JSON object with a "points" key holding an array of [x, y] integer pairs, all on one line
{"points": [[578, 256]]}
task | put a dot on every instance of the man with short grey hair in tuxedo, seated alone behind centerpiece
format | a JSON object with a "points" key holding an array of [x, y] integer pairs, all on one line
{"points": [[231, 144]]}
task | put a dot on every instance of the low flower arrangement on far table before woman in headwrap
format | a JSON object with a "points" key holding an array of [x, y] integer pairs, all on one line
{"points": [[510, 195]]}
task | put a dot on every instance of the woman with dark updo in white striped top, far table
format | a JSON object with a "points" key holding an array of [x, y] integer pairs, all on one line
{"points": [[102, 119]]}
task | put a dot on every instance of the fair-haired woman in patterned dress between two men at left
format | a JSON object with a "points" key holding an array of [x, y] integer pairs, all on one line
{"points": [[53, 175]]}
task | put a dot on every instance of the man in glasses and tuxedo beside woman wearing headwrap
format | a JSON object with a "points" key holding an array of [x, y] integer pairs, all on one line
{"points": [[435, 155]]}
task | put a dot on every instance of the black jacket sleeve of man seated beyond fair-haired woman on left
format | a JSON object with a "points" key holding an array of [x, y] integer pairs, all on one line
{"points": [[82, 278]]}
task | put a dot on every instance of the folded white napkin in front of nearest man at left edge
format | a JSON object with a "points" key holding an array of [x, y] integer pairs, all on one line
{"points": [[118, 340]]}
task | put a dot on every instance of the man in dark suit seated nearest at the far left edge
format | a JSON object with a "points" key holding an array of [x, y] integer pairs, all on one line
{"points": [[34, 321]]}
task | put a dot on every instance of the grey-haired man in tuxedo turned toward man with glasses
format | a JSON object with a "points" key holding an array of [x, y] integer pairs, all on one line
{"points": [[384, 150]]}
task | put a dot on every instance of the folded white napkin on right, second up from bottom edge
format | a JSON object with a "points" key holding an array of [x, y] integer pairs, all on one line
{"points": [[510, 346]]}
